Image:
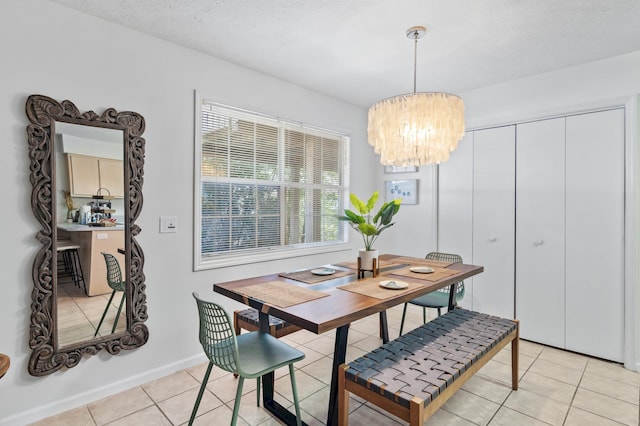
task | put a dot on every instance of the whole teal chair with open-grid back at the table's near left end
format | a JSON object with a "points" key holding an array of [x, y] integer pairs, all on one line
{"points": [[250, 355]]}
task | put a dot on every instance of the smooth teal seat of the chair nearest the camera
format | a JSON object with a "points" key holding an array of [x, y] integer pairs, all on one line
{"points": [[261, 353]]}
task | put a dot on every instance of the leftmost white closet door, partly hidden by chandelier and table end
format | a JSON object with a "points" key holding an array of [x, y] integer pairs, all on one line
{"points": [[455, 186]]}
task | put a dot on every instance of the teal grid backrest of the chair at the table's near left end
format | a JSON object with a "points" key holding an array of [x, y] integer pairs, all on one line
{"points": [[217, 336]]}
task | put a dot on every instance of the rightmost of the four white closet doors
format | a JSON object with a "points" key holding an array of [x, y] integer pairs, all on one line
{"points": [[595, 233]]}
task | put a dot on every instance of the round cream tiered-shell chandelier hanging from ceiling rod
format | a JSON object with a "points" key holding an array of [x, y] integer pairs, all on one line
{"points": [[416, 129]]}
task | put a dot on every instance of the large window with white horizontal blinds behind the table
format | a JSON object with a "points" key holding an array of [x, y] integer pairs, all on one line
{"points": [[266, 188]]}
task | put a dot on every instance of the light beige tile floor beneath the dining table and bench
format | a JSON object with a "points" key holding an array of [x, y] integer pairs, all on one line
{"points": [[556, 388]]}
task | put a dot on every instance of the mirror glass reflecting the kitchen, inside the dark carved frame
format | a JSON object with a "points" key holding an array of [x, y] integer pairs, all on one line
{"points": [[90, 221]]}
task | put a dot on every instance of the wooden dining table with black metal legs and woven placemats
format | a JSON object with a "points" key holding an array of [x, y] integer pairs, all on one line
{"points": [[335, 301]]}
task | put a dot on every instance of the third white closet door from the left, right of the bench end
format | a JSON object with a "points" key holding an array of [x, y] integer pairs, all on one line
{"points": [[540, 215]]}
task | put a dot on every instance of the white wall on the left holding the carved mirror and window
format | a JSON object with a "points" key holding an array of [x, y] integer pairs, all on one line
{"points": [[51, 50]]}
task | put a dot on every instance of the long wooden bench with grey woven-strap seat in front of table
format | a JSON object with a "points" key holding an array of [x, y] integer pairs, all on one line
{"points": [[415, 374]]}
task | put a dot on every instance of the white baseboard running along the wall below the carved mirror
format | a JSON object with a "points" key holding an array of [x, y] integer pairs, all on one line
{"points": [[79, 400]]}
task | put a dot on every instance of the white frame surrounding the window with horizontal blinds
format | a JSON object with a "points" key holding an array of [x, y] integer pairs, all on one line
{"points": [[230, 258]]}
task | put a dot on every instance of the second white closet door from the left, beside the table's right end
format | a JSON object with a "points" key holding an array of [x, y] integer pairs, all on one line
{"points": [[493, 220]]}
